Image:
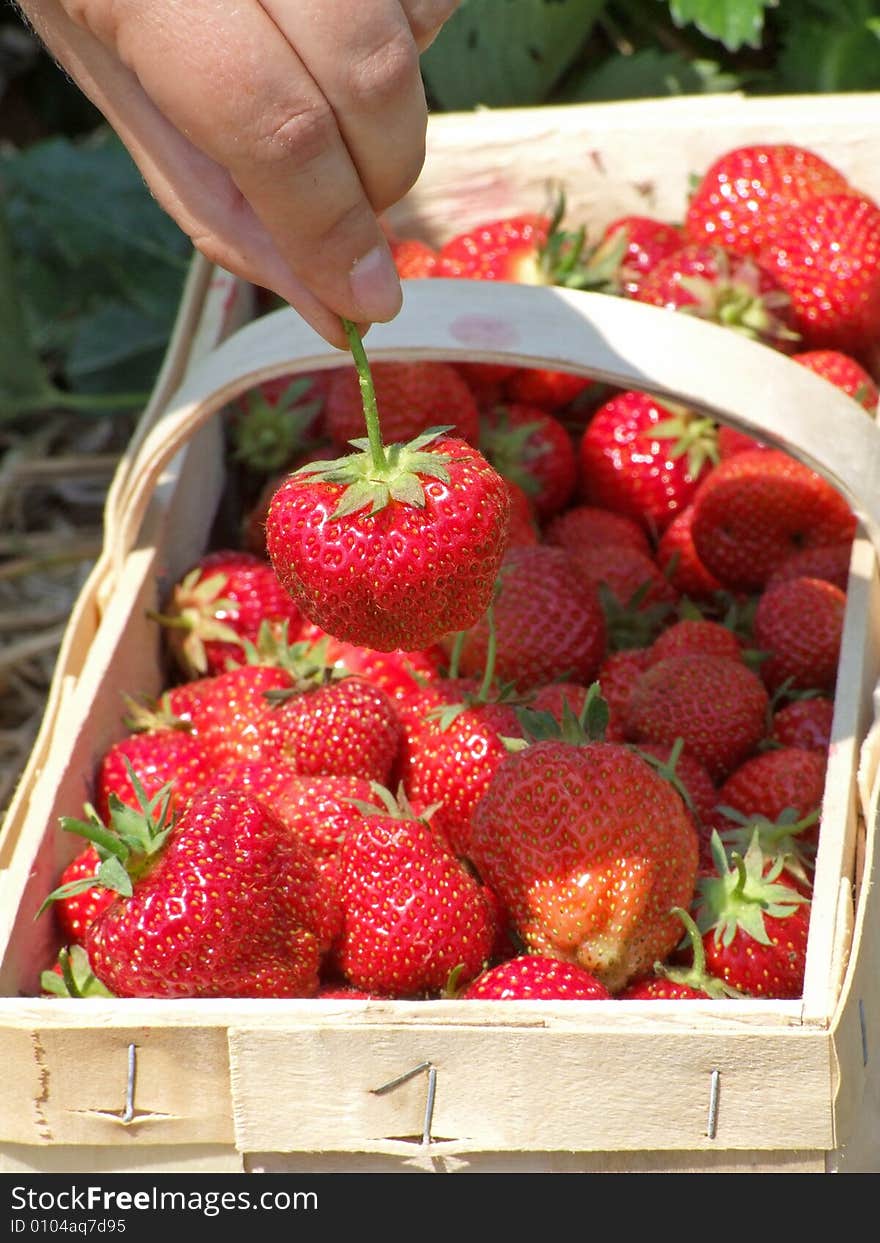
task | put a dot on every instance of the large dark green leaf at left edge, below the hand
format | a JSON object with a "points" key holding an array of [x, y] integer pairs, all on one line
{"points": [[100, 265]]}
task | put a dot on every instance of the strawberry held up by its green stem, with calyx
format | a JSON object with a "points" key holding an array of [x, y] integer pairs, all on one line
{"points": [[391, 548]]}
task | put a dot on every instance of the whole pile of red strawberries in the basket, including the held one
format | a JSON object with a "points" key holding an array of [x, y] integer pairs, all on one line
{"points": [[529, 697]]}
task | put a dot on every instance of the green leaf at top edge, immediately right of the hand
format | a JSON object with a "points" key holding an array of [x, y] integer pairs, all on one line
{"points": [[506, 53]]}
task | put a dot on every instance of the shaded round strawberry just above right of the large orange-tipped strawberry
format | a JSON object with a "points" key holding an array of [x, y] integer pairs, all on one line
{"points": [[715, 705]]}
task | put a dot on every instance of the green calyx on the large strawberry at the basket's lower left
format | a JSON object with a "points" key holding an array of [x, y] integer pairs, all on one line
{"points": [[126, 847]]}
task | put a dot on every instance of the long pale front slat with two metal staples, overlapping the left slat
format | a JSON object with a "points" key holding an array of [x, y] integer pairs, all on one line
{"points": [[314, 1089]]}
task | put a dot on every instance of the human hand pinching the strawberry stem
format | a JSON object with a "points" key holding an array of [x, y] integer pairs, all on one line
{"points": [[274, 132]]}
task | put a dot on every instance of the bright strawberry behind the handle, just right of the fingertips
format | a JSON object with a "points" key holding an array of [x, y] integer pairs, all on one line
{"points": [[509, 249]]}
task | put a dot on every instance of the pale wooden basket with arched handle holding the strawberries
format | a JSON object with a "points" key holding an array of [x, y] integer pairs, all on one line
{"points": [[304, 1086]]}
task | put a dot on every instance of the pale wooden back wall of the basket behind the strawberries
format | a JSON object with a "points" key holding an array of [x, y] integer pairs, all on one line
{"points": [[615, 160]]}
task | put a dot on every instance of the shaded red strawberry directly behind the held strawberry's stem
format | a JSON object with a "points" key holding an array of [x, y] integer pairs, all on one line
{"points": [[412, 397]]}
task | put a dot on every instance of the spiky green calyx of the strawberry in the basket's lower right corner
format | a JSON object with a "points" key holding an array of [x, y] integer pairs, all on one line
{"points": [[743, 893]]}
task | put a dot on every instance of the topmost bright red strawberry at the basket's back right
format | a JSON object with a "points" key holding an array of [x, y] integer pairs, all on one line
{"points": [[744, 196]]}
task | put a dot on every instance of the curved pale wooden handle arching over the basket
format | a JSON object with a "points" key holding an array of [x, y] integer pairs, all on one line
{"points": [[673, 356]]}
